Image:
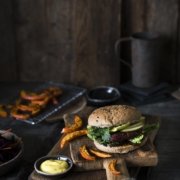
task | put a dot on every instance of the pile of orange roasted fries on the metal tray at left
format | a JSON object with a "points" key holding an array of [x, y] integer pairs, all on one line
{"points": [[30, 104]]}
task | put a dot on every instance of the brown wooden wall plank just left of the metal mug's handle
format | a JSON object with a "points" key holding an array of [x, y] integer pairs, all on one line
{"points": [[96, 28]]}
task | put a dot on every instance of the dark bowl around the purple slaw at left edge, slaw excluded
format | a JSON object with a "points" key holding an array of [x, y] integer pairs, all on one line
{"points": [[13, 162]]}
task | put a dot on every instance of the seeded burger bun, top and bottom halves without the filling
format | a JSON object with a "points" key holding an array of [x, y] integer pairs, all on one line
{"points": [[115, 115]]}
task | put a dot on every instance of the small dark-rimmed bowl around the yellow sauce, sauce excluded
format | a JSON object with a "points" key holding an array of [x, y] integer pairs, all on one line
{"points": [[58, 157]]}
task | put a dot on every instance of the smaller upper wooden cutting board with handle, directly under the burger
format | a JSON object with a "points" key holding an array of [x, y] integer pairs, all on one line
{"points": [[144, 156]]}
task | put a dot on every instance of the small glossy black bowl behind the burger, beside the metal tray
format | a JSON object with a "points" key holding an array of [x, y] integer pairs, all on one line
{"points": [[103, 95]]}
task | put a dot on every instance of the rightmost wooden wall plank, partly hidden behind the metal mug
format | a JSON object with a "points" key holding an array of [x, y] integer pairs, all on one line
{"points": [[163, 17]]}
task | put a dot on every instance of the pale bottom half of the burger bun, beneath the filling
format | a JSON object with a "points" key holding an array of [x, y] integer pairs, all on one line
{"points": [[119, 149]]}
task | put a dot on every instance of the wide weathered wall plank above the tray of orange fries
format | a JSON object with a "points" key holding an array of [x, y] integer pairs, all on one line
{"points": [[44, 39]]}
